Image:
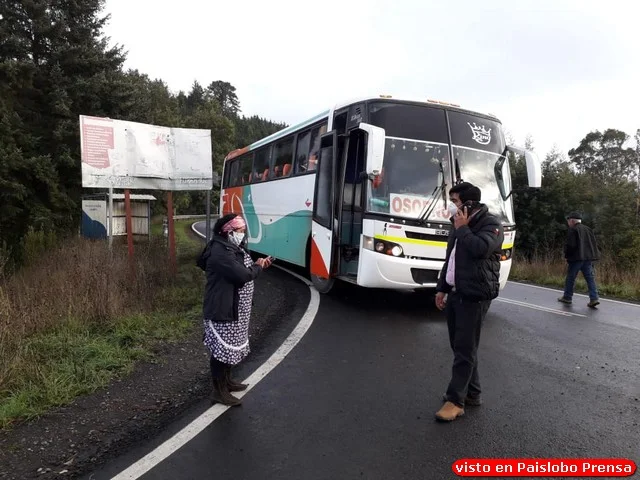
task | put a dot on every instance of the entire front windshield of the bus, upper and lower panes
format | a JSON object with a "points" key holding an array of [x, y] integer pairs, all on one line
{"points": [[417, 162]]}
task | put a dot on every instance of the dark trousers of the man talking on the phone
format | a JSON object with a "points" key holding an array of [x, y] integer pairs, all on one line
{"points": [[464, 320]]}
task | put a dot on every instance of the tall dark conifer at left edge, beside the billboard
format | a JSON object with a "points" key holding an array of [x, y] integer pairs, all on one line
{"points": [[54, 65]]}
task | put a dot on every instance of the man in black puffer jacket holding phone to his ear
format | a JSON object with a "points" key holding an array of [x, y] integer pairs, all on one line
{"points": [[469, 280]]}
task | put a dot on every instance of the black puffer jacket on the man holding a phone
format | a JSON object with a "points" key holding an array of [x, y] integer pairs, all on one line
{"points": [[478, 251]]}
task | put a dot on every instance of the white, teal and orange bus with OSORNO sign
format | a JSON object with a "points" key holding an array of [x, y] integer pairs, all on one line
{"points": [[359, 193]]}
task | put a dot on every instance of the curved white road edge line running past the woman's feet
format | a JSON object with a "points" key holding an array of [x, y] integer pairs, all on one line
{"points": [[163, 451]]}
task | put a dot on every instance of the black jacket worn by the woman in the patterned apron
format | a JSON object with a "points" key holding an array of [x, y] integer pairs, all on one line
{"points": [[226, 274]]}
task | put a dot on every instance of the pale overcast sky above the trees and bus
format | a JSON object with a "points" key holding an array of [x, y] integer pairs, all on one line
{"points": [[552, 69]]}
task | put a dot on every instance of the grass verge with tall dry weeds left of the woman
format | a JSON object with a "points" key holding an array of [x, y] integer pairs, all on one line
{"points": [[77, 319]]}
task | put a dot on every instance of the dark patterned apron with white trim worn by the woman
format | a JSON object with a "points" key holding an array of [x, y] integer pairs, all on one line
{"points": [[229, 342]]}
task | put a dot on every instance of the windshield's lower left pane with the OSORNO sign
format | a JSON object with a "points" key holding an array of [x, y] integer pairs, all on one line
{"points": [[414, 176]]}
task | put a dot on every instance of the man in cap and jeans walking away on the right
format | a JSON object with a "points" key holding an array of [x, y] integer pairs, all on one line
{"points": [[580, 250]]}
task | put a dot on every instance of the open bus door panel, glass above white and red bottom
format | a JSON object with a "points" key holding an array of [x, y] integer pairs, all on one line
{"points": [[323, 216]]}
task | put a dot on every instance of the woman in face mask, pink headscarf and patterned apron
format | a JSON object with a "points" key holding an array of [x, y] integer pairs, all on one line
{"points": [[228, 298]]}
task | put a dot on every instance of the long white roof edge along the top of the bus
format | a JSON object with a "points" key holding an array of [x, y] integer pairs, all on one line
{"points": [[286, 131]]}
